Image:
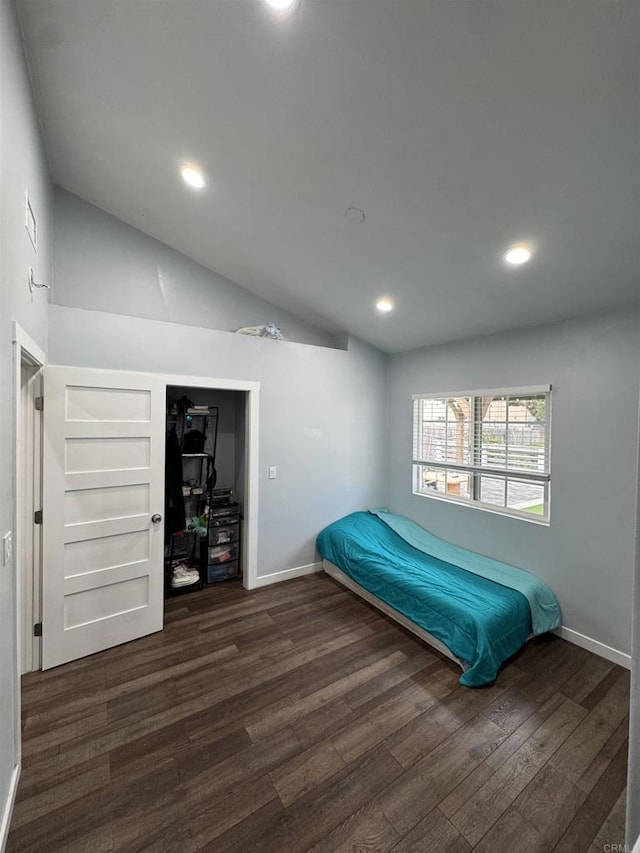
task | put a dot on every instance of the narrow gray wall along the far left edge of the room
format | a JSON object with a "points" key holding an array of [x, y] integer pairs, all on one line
{"points": [[22, 167]]}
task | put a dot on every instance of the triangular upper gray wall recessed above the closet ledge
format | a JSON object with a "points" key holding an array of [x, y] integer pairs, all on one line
{"points": [[102, 264]]}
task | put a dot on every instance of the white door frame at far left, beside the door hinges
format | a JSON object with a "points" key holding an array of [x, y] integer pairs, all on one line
{"points": [[25, 349]]}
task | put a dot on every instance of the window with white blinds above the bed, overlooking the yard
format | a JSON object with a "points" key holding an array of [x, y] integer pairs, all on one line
{"points": [[486, 448]]}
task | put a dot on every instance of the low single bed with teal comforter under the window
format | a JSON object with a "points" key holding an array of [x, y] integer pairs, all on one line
{"points": [[472, 608]]}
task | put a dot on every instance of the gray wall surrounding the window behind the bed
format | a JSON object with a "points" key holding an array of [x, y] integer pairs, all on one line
{"points": [[587, 553]]}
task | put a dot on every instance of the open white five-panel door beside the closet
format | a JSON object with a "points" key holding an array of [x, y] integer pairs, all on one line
{"points": [[103, 490]]}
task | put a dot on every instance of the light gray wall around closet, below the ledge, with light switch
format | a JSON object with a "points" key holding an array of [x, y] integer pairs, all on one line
{"points": [[322, 413]]}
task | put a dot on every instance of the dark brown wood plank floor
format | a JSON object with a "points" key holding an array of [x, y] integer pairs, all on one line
{"points": [[296, 718]]}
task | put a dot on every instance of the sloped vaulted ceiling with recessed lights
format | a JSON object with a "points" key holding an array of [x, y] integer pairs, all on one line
{"points": [[458, 126]]}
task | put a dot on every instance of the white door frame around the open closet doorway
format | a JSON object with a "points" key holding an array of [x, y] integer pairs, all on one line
{"points": [[249, 541]]}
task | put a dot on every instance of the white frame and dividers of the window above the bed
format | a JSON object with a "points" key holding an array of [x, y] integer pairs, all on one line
{"points": [[475, 469]]}
